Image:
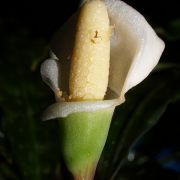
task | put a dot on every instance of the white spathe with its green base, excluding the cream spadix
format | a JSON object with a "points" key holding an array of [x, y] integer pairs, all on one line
{"points": [[135, 50]]}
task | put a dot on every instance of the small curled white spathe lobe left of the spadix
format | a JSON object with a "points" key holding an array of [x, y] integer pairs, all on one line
{"points": [[50, 73]]}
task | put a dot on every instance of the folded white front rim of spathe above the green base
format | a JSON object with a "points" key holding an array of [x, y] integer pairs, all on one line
{"points": [[63, 109]]}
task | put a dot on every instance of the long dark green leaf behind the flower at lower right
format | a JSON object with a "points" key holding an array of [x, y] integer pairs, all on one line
{"points": [[144, 106]]}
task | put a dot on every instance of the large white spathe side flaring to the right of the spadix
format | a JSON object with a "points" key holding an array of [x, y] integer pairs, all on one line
{"points": [[135, 48]]}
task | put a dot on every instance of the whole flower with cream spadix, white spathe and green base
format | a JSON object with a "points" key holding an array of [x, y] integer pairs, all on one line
{"points": [[104, 49]]}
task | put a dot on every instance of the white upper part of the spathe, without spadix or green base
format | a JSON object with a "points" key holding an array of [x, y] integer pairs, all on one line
{"points": [[135, 51]]}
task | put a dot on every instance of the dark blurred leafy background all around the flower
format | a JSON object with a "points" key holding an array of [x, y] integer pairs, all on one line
{"points": [[143, 142]]}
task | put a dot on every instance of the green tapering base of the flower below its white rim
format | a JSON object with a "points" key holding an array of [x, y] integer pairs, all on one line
{"points": [[83, 136]]}
